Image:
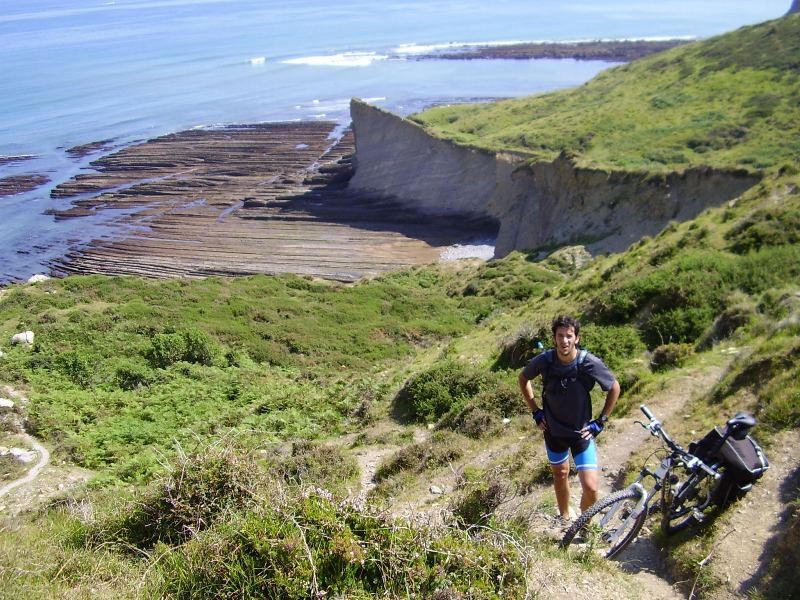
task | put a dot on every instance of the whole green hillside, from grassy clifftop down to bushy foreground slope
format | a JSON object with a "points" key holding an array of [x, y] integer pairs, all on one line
{"points": [[224, 426]]}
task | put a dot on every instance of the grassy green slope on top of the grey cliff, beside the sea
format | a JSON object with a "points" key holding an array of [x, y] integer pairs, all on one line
{"points": [[730, 102]]}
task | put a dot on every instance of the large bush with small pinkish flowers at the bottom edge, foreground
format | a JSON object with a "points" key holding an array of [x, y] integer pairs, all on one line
{"points": [[311, 546]]}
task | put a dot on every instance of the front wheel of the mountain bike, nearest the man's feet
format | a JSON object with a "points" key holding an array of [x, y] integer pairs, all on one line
{"points": [[609, 525]]}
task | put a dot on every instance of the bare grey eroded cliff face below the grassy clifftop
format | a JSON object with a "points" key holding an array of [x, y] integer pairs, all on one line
{"points": [[534, 205]]}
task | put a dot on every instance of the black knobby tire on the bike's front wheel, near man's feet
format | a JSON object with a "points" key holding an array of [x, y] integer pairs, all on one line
{"points": [[623, 502]]}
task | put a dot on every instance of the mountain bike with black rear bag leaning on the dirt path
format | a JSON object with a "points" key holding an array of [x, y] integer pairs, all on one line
{"points": [[691, 484]]}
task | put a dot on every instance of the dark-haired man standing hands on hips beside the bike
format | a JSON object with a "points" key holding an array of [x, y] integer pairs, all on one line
{"points": [[565, 417]]}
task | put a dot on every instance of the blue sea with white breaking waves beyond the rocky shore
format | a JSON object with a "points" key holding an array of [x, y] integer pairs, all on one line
{"points": [[75, 72]]}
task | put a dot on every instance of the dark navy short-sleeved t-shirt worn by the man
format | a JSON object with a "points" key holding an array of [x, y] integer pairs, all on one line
{"points": [[567, 405]]}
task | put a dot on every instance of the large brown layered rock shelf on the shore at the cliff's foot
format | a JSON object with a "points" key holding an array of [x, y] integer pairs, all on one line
{"points": [[243, 200]]}
